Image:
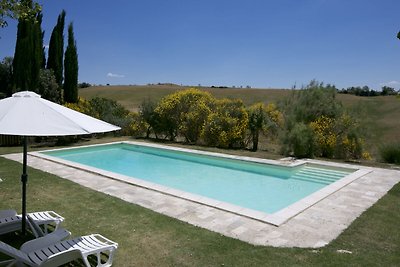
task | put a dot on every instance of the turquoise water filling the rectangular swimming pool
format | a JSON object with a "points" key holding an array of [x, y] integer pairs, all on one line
{"points": [[262, 187]]}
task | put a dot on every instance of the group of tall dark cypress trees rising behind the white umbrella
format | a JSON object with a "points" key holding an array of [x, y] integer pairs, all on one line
{"points": [[27, 70]]}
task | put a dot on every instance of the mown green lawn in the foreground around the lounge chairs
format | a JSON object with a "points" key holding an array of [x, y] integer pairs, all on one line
{"points": [[147, 238]]}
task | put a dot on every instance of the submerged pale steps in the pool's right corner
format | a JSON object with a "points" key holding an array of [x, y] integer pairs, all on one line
{"points": [[316, 175]]}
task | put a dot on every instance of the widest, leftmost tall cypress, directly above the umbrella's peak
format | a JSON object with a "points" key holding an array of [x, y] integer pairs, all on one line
{"points": [[28, 56]]}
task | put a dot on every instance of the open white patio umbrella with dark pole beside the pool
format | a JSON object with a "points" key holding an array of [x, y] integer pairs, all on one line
{"points": [[27, 114]]}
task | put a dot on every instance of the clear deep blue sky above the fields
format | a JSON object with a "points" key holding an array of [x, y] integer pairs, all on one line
{"points": [[261, 43]]}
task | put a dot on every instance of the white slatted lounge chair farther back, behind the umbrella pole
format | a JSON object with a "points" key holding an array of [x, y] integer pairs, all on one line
{"points": [[10, 221]]}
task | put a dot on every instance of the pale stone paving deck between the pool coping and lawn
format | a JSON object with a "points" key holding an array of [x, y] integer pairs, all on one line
{"points": [[314, 227]]}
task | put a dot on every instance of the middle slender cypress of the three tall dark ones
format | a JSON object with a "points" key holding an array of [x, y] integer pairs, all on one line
{"points": [[56, 49]]}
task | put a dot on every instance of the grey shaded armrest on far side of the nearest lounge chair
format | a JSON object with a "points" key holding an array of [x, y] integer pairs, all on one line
{"points": [[45, 241]]}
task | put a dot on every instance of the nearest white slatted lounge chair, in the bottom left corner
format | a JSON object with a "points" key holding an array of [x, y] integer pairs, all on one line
{"points": [[50, 251]]}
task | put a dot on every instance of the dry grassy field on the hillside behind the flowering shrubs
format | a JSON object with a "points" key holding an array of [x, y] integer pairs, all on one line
{"points": [[380, 114]]}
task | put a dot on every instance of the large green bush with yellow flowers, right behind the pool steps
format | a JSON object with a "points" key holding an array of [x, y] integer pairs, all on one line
{"points": [[335, 134]]}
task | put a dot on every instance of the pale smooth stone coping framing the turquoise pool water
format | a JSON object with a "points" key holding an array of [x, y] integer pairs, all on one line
{"points": [[278, 218]]}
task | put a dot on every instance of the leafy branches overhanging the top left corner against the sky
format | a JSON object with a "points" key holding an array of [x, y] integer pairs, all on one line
{"points": [[15, 9]]}
